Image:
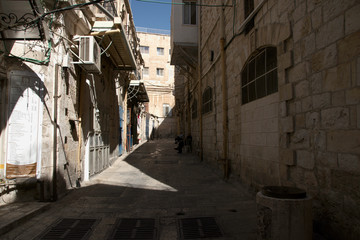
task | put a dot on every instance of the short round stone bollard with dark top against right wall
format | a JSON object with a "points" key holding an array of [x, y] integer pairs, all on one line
{"points": [[284, 213]]}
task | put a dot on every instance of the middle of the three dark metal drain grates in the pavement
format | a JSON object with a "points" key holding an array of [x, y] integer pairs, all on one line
{"points": [[135, 228]]}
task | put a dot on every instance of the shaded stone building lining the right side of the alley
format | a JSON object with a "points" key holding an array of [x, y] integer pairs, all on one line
{"points": [[276, 97]]}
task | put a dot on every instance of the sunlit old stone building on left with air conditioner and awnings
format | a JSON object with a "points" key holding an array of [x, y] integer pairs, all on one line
{"points": [[66, 68]]}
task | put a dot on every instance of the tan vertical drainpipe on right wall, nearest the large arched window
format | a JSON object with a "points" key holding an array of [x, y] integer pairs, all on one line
{"points": [[224, 96]]}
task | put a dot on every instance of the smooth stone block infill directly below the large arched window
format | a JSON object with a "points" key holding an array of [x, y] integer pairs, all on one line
{"points": [[259, 142]]}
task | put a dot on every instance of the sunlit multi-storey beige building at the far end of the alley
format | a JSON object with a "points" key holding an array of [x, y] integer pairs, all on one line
{"points": [[158, 76]]}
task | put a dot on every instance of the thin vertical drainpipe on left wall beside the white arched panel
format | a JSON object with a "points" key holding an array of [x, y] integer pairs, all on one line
{"points": [[55, 124]]}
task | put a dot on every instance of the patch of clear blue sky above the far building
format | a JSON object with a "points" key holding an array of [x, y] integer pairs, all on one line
{"points": [[151, 15]]}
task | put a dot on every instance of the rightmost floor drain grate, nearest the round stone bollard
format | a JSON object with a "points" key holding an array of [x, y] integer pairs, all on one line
{"points": [[203, 227]]}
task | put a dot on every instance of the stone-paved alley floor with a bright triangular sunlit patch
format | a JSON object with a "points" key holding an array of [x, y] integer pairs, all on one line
{"points": [[156, 191]]}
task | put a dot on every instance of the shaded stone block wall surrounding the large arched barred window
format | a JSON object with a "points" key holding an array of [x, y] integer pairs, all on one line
{"points": [[307, 134]]}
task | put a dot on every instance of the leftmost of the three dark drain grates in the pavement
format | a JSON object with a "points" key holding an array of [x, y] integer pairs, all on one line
{"points": [[69, 228]]}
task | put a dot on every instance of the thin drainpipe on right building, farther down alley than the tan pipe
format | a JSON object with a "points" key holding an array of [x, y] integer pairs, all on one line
{"points": [[200, 84]]}
